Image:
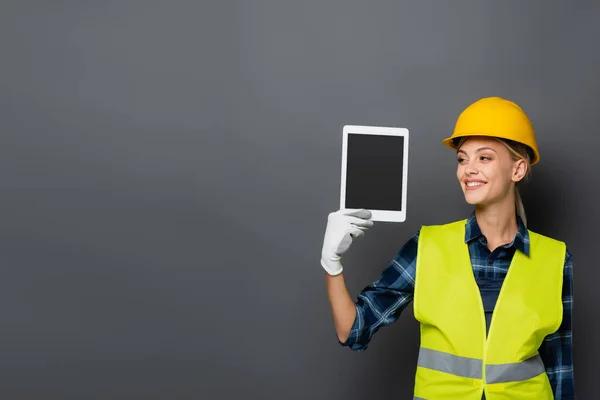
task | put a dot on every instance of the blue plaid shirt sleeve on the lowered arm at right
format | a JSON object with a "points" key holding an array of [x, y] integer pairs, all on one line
{"points": [[557, 349]]}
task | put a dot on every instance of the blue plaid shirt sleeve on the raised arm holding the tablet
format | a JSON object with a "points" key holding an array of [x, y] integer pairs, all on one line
{"points": [[380, 303]]}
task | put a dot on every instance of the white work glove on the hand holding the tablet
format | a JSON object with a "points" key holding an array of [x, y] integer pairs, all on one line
{"points": [[342, 227]]}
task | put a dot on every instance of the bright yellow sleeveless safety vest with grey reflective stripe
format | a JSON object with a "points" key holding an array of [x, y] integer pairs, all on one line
{"points": [[456, 360]]}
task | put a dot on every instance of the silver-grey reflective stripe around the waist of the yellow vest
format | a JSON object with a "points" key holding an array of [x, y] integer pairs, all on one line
{"points": [[472, 367]]}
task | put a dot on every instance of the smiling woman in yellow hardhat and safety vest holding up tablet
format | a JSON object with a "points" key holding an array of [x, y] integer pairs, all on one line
{"points": [[487, 330]]}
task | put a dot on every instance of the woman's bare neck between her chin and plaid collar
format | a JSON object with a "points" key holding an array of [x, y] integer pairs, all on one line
{"points": [[497, 223]]}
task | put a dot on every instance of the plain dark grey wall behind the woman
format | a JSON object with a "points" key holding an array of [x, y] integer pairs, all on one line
{"points": [[167, 168]]}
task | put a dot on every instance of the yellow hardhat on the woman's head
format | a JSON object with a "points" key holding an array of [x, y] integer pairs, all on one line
{"points": [[495, 117]]}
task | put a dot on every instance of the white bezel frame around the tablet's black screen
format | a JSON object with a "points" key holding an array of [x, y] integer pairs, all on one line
{"points": [[377, 215]]}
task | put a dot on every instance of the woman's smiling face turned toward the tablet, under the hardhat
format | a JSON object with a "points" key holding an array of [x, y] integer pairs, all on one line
{"points": [[487, 171]]}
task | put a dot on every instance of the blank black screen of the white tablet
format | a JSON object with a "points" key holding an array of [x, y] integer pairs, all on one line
{"points": [[374, 172]]}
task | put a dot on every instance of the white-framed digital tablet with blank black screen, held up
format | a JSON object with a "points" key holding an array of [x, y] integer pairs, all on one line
{"points": [[375, 171]]}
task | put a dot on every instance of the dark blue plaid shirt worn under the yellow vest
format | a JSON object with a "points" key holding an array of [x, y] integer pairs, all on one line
{"points": [[380, 303]]}
